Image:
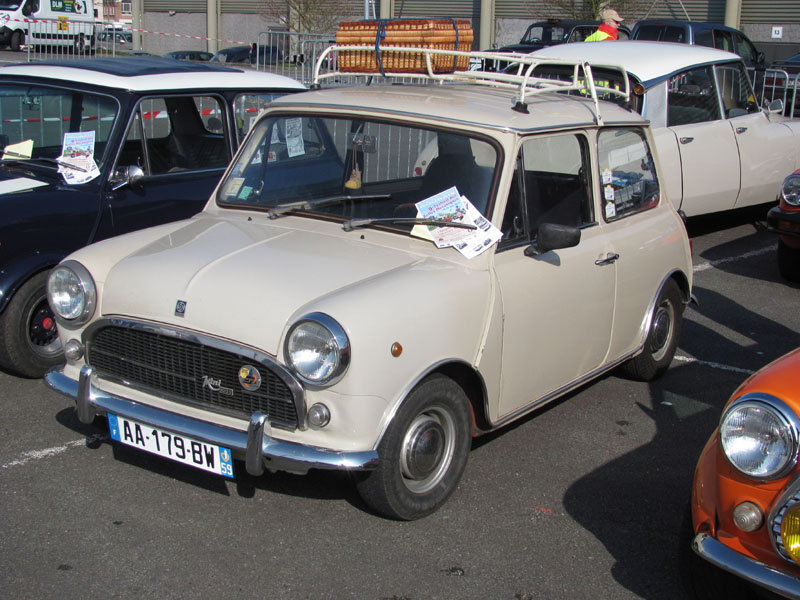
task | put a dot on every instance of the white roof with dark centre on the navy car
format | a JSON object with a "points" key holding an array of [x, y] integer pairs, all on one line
{"points": [[145, 73]]}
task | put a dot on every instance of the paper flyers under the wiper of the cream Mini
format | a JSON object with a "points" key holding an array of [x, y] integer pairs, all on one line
{"points": [[450, 206]]}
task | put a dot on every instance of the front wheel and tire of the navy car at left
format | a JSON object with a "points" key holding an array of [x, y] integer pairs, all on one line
{"points": [[29, 343]]}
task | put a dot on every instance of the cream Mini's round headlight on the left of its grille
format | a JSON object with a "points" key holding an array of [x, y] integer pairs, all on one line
{"points": [[71, 293]]}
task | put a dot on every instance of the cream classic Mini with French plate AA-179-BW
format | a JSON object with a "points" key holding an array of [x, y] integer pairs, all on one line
{"points": [[342, 304]]}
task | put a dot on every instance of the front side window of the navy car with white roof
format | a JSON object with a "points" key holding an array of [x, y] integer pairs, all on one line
{"points": [[175, 134]]}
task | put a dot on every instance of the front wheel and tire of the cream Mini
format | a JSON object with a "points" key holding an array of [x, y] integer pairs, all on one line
{"points": [[423, 452]]}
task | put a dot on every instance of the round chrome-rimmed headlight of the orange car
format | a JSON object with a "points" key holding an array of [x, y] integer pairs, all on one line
{"points": [[759, 437]]}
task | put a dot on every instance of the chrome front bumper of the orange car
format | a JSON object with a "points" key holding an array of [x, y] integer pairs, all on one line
{"points": [[745, 567]]}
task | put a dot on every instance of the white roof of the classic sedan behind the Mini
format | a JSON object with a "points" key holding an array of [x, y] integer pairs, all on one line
{"points": [[649, 62]]}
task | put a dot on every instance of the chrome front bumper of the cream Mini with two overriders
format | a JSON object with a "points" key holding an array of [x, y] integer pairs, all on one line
{"points": [[256, 446]]}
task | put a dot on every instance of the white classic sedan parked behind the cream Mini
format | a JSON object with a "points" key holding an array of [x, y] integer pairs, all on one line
{"points": [[718, 148]]}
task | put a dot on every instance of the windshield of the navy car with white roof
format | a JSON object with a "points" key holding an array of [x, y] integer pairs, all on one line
{"points": [[35, 120]]}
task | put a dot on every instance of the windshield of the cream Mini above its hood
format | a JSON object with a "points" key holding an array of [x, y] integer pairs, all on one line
{"points": [[352, 168]]}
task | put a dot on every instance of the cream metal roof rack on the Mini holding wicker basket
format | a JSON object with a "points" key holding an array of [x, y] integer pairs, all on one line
{"points": [[445, 66]]}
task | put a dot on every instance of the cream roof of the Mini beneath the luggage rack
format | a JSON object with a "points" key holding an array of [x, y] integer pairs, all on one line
{"points": [[461, 104]]}
